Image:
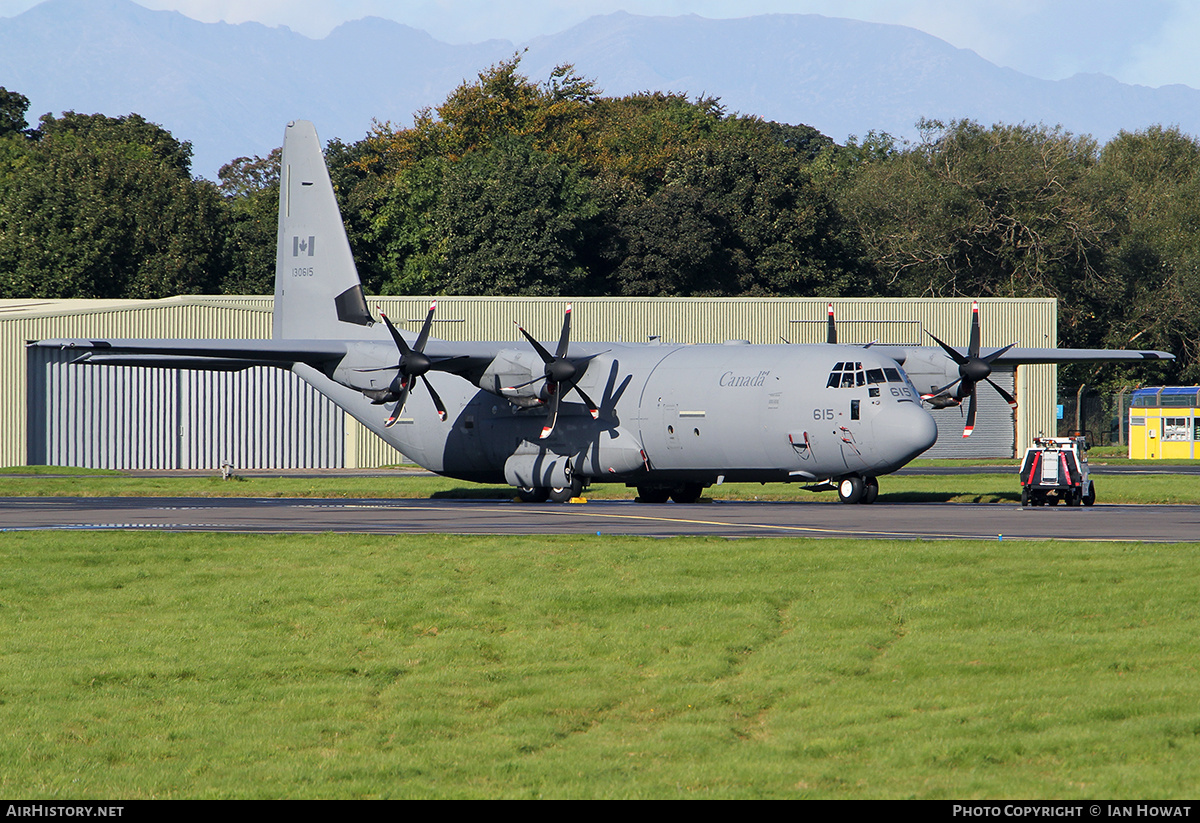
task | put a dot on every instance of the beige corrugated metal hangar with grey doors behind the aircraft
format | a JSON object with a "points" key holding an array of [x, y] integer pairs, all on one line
{"points": [[59, 413]]}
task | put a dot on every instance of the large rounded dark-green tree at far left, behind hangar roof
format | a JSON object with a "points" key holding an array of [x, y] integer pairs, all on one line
{"points": [[103, 207]]}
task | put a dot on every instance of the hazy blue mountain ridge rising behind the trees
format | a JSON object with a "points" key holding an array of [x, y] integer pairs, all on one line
{"points": [[231, 88]]}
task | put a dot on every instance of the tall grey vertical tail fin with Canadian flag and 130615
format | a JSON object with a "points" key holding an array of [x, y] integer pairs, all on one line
{"points": [[317, 290]]}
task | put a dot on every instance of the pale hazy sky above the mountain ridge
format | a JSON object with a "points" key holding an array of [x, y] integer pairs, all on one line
{"points": [[1151, 43]]}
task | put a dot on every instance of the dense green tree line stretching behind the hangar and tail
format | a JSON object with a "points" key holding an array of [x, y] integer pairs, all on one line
{"points": [[517, 188]]}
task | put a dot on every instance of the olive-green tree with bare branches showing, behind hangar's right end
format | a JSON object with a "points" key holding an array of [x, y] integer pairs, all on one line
{"points": [[1001, 212]]}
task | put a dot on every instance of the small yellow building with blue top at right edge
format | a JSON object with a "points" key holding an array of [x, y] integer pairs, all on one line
{"points": [[1165, 424]]}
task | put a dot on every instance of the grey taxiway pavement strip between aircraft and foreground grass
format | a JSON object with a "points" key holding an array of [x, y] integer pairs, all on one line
{"points": [[925, 521]]}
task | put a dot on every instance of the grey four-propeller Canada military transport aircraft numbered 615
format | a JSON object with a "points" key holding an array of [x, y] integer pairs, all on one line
{"points": [[670, 420]]}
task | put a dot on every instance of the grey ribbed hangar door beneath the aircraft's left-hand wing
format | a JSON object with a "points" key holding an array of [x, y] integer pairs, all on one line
{"points": [[135, 418]]}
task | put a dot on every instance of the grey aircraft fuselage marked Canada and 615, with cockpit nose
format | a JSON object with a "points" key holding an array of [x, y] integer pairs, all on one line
{"points": [[668, 414]]}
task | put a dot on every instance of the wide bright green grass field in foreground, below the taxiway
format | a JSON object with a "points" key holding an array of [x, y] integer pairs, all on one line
{"points": [[345, 666]]}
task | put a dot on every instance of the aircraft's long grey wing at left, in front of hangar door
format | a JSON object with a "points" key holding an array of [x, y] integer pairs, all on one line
{"points": [[220, 355]]}
